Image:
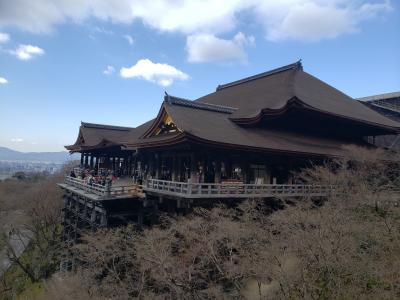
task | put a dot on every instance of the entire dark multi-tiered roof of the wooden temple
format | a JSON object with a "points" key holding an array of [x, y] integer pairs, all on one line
{"points": [[218, 118]]}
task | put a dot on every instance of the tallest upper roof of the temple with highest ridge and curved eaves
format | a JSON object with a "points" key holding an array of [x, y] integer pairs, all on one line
{"points": [[272, 92]]}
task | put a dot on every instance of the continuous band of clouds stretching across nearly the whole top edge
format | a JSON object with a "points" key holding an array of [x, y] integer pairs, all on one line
{"points": [[286, 19]]}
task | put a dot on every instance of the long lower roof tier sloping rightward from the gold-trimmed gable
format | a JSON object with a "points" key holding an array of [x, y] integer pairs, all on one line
{"points": [[217, 128]]}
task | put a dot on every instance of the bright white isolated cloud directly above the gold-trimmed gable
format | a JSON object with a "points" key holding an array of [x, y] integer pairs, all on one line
{"points": [[161, 74]]}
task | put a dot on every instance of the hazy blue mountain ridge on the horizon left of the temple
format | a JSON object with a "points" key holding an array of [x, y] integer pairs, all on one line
{"points": [[55, 157]]}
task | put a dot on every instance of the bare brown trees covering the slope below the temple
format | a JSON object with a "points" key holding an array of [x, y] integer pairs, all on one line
{"points": [[345, 246]]}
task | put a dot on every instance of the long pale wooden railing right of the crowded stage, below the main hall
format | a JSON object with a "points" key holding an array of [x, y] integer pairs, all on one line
{"points": [[234, 190]]}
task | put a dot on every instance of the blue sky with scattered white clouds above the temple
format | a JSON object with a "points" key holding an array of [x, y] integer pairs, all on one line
{"points": [[62, 62]]}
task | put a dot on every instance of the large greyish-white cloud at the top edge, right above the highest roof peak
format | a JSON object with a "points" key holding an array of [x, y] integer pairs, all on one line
{"points": [[314, 20]]}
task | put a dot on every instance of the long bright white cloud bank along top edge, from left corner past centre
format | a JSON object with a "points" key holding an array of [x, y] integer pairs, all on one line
{"points": [[184, 16]]}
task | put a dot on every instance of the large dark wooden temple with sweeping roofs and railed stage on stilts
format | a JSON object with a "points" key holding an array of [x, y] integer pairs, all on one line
{"points": [[242, 141]]}
